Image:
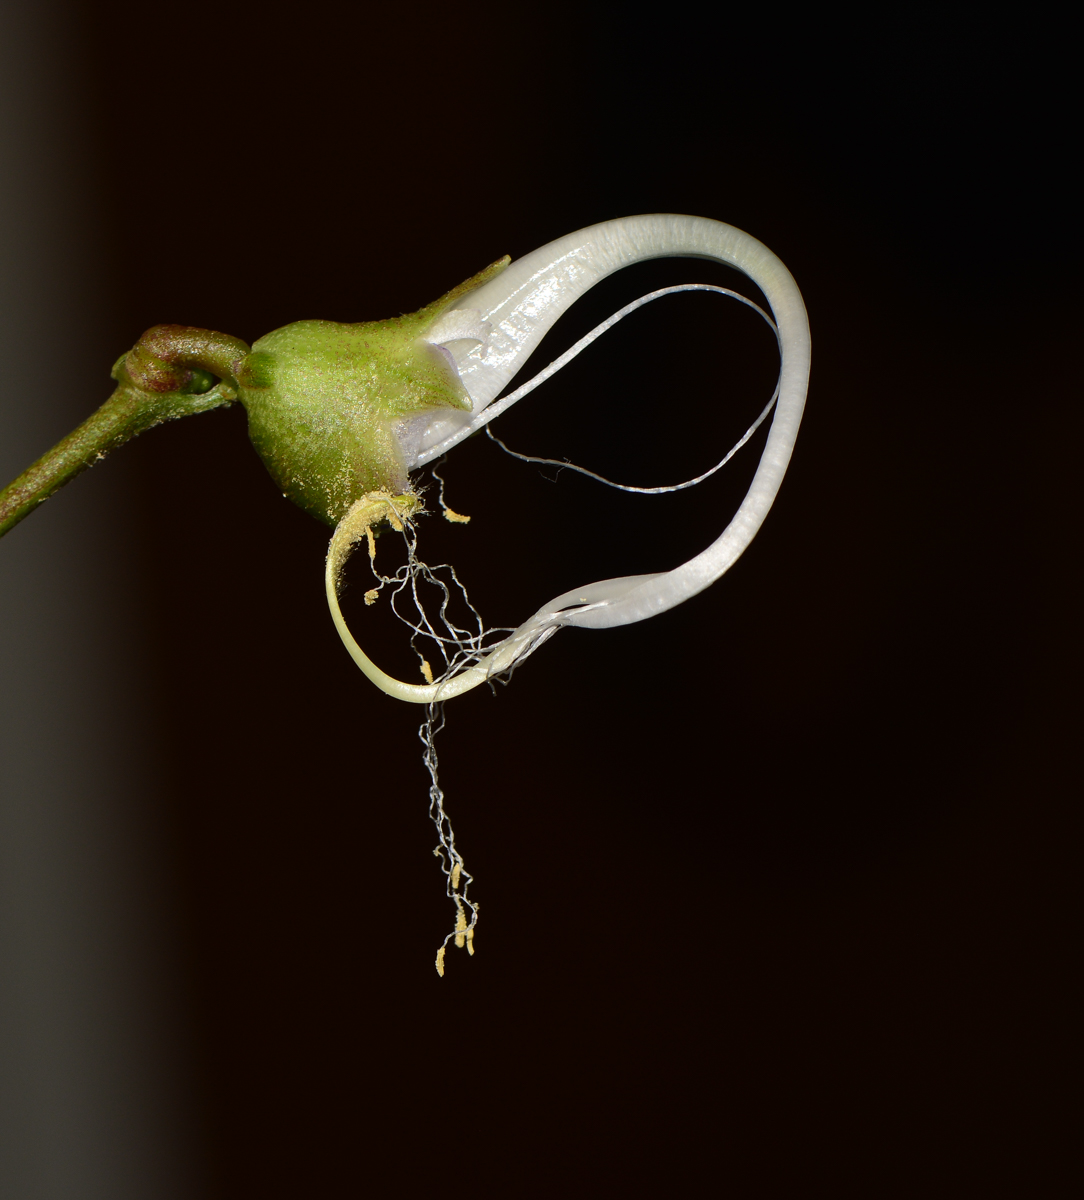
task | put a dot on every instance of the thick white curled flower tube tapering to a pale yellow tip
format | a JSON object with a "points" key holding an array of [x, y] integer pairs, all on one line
{"points": [[510, 317]]}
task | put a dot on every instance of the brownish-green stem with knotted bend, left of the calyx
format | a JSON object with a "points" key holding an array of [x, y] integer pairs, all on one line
{"points": [[160, 380]]}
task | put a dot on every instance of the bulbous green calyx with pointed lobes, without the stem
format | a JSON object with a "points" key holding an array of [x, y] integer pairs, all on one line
{"points": [[324, 400]]}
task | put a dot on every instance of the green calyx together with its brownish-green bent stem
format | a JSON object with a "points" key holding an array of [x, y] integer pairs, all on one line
{"points": [[322, 399]]}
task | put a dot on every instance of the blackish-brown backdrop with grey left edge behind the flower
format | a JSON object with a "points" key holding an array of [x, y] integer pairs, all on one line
{"points": [[774, 886]]}
